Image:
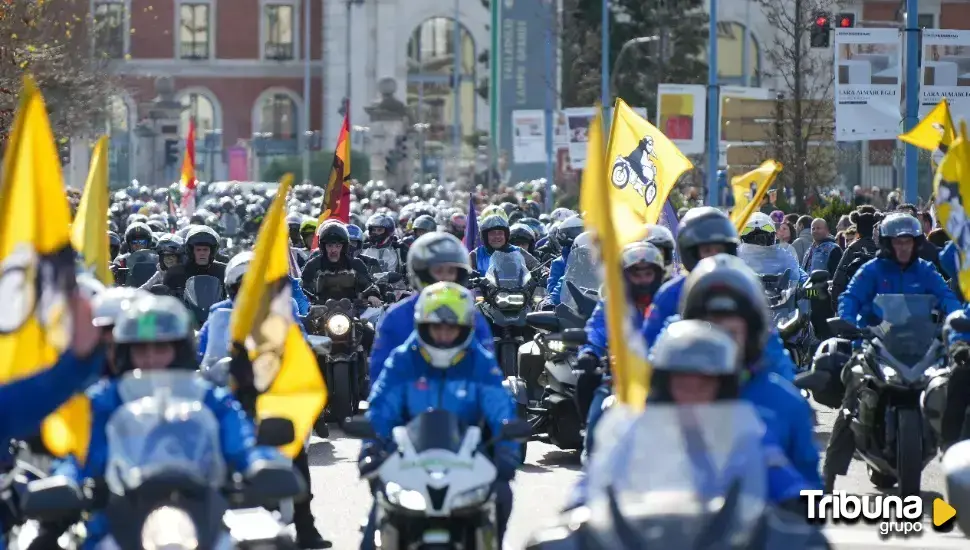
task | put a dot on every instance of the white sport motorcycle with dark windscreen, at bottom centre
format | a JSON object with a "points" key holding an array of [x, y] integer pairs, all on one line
{"points": [[435, 488]]}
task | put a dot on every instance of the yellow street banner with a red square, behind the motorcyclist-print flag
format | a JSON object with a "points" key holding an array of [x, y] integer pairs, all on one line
{"points": [[682, 115]]}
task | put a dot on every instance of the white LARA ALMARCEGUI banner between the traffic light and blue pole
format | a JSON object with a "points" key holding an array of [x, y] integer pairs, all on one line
{"points": [[868, 83]]}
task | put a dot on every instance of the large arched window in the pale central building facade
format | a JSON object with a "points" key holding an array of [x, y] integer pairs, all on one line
{"points": [[431, 87]]}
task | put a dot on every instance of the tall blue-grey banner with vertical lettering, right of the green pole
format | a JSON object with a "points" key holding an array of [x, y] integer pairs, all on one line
{"points": [[523, 81]]}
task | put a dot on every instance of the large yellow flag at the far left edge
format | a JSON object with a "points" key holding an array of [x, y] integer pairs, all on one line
{"points": [[36, 261]]}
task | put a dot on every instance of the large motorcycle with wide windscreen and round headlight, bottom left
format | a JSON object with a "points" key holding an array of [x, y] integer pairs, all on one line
{"points": [[166, 484]]}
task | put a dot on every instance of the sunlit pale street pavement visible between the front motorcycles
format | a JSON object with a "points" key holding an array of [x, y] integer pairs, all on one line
{"points": [[341, 500]]}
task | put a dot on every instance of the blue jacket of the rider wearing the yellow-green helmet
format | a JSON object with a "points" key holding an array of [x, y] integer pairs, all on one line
{"points": [[472, 389]]}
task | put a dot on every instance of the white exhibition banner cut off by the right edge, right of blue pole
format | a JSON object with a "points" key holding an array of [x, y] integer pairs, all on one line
{"points": [[946, 72]]}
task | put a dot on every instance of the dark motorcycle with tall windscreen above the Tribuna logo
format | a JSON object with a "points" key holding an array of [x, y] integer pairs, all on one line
{"points": [[899, 360]]}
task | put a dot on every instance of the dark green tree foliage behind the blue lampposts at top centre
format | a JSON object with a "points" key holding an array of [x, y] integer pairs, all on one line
{"points": [[677, 56]]}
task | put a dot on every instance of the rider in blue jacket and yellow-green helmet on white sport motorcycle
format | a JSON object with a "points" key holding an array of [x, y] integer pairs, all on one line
{"points": [[442, 366]]}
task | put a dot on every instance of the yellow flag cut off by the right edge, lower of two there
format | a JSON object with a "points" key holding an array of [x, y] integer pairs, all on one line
{"points": [[951, 191]]}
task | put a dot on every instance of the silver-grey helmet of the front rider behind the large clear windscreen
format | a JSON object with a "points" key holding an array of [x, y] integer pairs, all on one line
{"points": [[694, 347]]}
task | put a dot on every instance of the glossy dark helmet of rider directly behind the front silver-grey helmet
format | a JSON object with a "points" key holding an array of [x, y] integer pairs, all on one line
{"points": [[725, 285]]}
